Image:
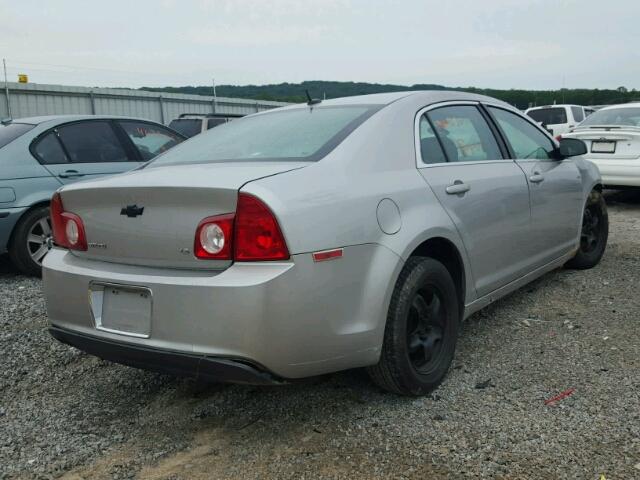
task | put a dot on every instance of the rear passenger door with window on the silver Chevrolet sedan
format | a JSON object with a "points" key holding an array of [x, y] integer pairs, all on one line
{"points": [[484, 193]]}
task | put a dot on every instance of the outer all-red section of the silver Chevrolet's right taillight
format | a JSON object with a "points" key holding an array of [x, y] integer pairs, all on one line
{"points": [[258, 235]]}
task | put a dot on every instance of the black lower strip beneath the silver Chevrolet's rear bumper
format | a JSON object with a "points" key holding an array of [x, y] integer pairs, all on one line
{"points": [[199, 367]]}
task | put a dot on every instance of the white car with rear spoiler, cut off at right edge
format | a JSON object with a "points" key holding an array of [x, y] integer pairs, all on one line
{"points": [[612, 135]]}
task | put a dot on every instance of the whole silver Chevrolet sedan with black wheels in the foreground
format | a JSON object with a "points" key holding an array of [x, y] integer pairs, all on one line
{"points": [[347, 233]]}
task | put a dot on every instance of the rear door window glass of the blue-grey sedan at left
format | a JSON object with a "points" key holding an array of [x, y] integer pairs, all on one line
{"points": [[92, 142]]}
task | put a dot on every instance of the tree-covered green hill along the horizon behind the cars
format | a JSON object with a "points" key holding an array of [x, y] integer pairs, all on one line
{"points": [[295, 92]]}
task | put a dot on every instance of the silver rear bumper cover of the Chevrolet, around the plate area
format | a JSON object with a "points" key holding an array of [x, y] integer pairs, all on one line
{"points": [[296, 318]]}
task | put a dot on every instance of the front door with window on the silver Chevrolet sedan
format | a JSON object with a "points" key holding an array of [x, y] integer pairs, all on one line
{"points": [[555, 186]]}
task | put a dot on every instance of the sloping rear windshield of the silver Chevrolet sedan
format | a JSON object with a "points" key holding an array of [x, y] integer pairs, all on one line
{"points": [[301, 134]]}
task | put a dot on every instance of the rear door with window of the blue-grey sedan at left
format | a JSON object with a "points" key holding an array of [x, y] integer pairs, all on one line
{"points": [[85, 149]]}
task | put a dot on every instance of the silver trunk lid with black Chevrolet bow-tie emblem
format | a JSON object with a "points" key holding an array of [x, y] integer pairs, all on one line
{"points": [[149, 217]]}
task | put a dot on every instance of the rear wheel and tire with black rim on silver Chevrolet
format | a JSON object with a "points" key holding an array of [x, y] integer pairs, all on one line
{"points": [[424, 305]]}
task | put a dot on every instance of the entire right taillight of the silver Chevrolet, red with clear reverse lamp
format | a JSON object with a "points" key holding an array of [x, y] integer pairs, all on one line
{"points": [[251, 235]]}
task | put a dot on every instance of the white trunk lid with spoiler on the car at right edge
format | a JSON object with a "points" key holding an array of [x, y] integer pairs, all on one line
{"points": [[625, 141]]}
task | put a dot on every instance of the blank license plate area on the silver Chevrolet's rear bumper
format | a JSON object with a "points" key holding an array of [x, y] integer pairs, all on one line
{"points": [[121, 309]]}
